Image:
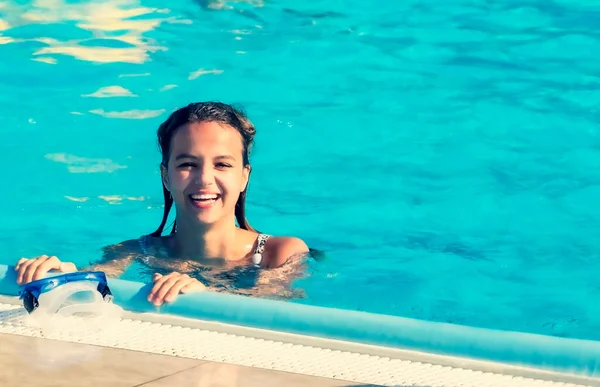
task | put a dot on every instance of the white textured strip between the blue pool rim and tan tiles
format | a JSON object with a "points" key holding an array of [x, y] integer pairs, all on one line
{"points": [[344, 360]]}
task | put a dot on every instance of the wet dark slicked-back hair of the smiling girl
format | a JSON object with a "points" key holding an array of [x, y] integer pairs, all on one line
{"points": [[205, 112]]}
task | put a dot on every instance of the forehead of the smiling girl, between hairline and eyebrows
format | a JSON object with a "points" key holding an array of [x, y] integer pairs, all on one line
{"points": [[206, 138]]}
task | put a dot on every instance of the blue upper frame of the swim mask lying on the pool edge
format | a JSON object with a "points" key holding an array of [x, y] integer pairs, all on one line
{"points": [[31, 291]]}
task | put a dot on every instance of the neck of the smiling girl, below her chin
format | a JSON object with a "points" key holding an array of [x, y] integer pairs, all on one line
{"points": [[196, 241]]}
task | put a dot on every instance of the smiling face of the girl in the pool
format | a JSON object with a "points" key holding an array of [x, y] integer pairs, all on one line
{"points": [[205, 172]]}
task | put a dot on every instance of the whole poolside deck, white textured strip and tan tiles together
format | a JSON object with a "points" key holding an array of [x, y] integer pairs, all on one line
{"points": [[145, 349]]}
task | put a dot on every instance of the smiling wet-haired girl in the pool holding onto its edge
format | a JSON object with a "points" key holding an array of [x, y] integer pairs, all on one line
{"points": [[205, 171]]}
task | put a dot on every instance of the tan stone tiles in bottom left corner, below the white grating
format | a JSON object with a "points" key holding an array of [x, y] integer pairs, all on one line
{"points": [[32, 361]]}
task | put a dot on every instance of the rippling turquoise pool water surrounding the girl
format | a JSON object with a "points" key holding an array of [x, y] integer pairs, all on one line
{"points": [[445, 157]]}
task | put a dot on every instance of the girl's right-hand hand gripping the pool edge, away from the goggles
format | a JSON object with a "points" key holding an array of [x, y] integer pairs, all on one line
{"points": [[167, 287]]}
